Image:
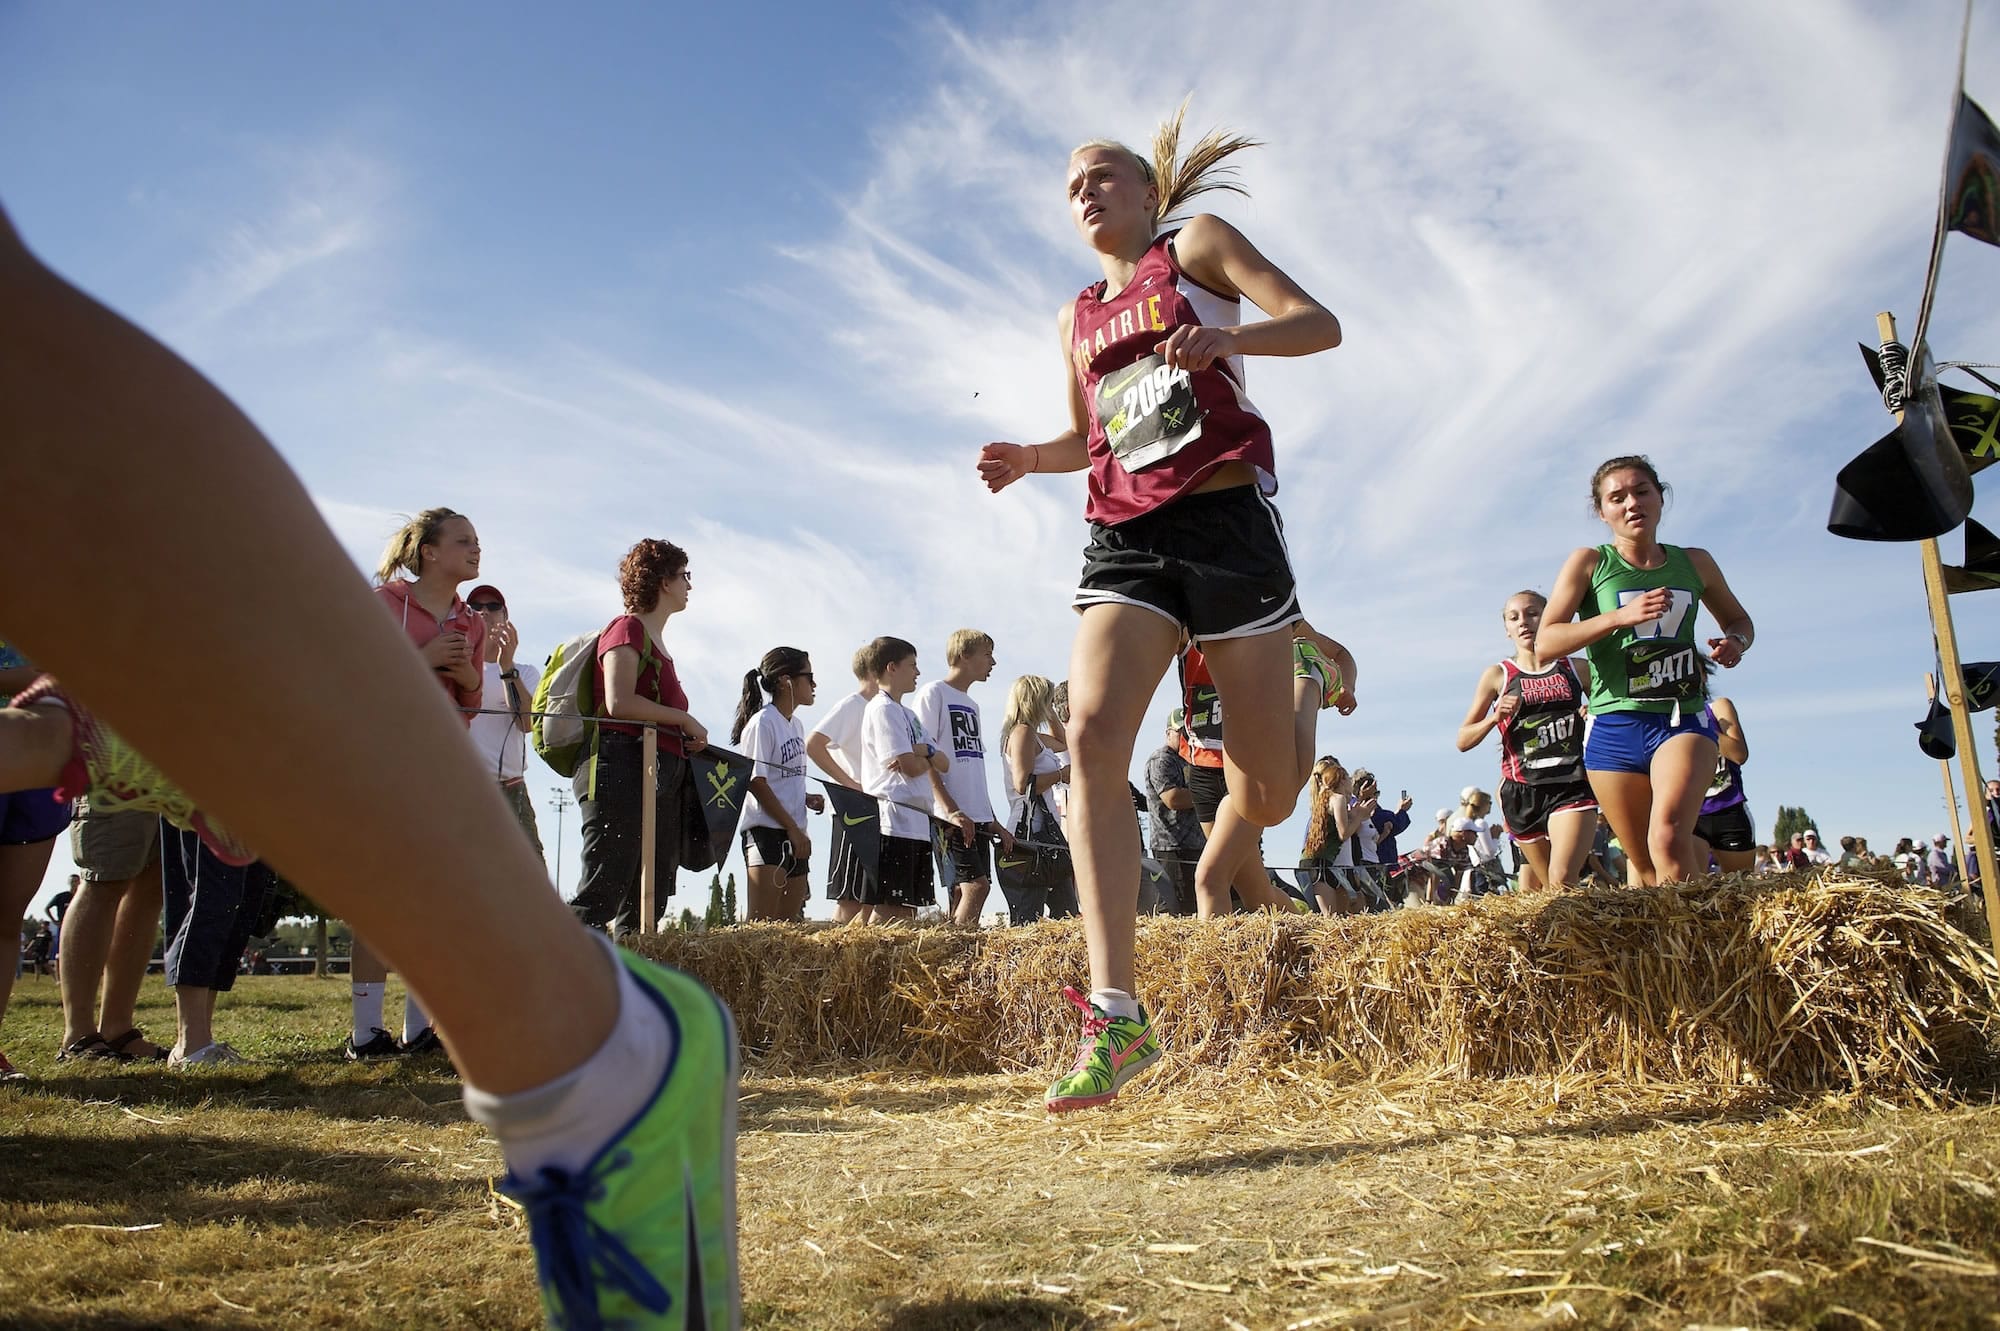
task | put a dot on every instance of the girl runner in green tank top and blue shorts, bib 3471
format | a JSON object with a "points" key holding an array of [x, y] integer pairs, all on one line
{"points": [[1631, 607]]}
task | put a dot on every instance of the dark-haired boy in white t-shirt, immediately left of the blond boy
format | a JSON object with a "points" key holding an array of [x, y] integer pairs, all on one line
{"points": [[897, 764]]}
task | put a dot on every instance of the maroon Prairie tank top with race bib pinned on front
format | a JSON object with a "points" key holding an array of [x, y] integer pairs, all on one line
{"points": [[1159, 433]]}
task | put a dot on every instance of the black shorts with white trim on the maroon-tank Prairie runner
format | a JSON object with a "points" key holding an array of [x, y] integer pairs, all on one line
{"points": [[1211, 563]]}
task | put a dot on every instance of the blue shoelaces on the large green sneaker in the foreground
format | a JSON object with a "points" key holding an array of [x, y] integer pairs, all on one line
{"points": [[577, 1254]]}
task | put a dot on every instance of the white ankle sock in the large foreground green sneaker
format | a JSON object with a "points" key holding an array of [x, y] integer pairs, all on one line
{"points": [[569, 1120]]}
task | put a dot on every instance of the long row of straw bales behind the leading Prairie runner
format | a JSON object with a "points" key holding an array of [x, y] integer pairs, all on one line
{"points": [[1797, 982]]}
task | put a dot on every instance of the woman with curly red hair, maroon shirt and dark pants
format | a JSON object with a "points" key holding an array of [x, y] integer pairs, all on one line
{"points": [[637, 684]]}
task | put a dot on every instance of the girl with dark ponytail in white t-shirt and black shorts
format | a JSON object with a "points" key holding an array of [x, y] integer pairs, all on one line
{"points": [[777, 848]]}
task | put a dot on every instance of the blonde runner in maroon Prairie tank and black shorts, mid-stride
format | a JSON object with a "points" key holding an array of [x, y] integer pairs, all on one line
{"points": [[1183, 537]]}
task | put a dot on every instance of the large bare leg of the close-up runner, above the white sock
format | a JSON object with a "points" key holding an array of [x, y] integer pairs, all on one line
{"points": [[103, 421]]}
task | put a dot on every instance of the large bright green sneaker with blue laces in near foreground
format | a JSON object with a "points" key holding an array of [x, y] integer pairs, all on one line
{"points": [[647, 1234]]}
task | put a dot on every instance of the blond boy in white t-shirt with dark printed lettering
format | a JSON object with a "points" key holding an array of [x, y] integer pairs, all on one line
{"points": [[947, 710]]}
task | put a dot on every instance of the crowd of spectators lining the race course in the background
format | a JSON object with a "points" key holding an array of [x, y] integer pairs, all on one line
{"points": [[917, 750]]}
